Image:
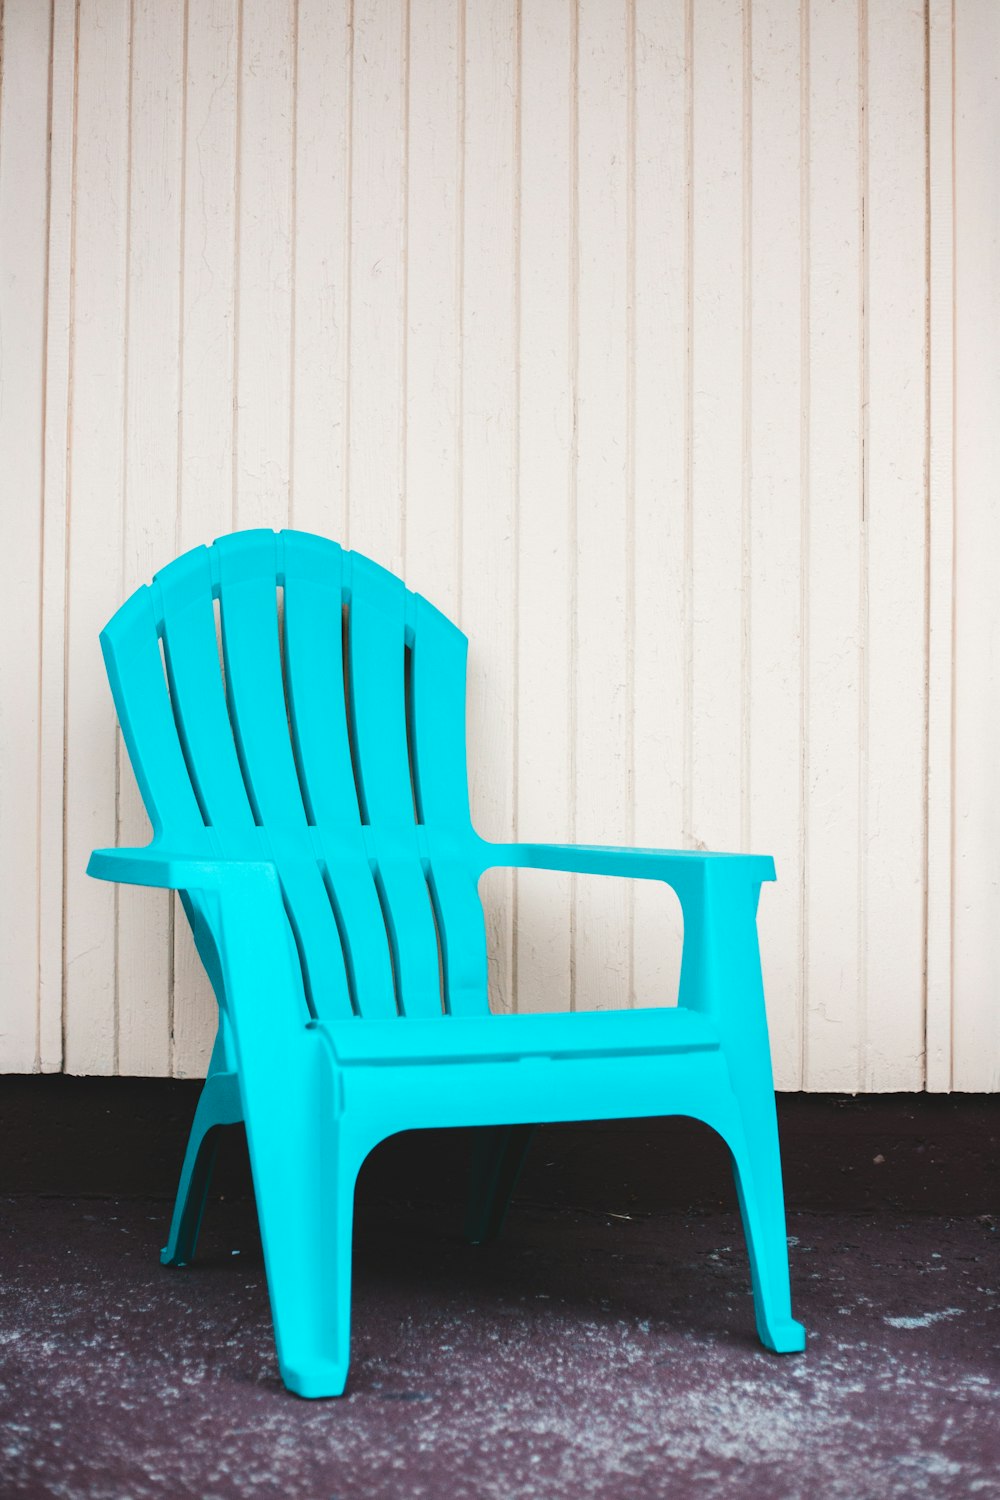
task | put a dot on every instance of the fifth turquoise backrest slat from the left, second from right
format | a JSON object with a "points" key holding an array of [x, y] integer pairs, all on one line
{"points": [[377, 637]]}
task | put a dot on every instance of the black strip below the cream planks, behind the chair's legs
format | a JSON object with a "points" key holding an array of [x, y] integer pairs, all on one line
{"points": [[927, 1153]]}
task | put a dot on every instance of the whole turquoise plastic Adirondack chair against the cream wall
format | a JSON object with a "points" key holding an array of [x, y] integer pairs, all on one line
{"points": [[310, 800]]}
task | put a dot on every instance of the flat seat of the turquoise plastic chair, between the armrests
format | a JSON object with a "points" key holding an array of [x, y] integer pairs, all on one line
{"points": [[509, 1039]]}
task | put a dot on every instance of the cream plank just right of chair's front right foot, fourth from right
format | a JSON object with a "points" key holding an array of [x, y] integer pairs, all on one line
{"points": [[834, 559]]}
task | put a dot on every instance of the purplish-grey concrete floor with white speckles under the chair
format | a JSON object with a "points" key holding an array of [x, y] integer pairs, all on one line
{"points": [[578, 1358]]}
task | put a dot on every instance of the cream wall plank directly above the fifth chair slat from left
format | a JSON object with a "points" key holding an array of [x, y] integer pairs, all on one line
{"points": [[377, 358]]}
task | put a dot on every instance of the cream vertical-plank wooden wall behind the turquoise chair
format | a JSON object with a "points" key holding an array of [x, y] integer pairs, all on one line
{"points": [[657, 341]]}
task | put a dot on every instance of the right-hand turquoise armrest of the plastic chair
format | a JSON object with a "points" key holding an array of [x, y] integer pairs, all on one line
{"points": [[678, 868]]}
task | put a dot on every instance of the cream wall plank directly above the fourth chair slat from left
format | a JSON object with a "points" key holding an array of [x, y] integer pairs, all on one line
{"points": [[320, 272]]}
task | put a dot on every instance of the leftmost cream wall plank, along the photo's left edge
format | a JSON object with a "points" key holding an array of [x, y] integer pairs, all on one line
{"points": [[25, 61]]}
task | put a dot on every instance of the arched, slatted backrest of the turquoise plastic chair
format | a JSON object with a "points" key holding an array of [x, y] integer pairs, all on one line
{"points": [[286, 700]]}
